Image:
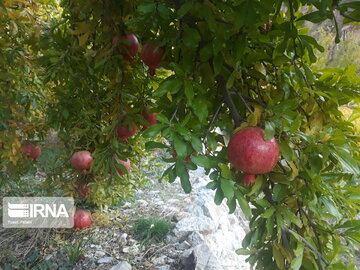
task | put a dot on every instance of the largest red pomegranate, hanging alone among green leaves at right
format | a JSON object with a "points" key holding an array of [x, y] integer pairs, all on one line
{"points": [[250, 153]]}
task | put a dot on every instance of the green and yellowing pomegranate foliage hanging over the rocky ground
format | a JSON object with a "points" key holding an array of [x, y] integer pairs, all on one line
{"points": [[228, 64]]}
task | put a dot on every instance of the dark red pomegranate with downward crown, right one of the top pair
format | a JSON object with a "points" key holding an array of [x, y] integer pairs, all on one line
{"points": [[152, 55]]}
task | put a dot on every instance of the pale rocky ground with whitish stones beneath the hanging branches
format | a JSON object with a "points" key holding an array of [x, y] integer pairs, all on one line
{"points": [[203, 236]]}
